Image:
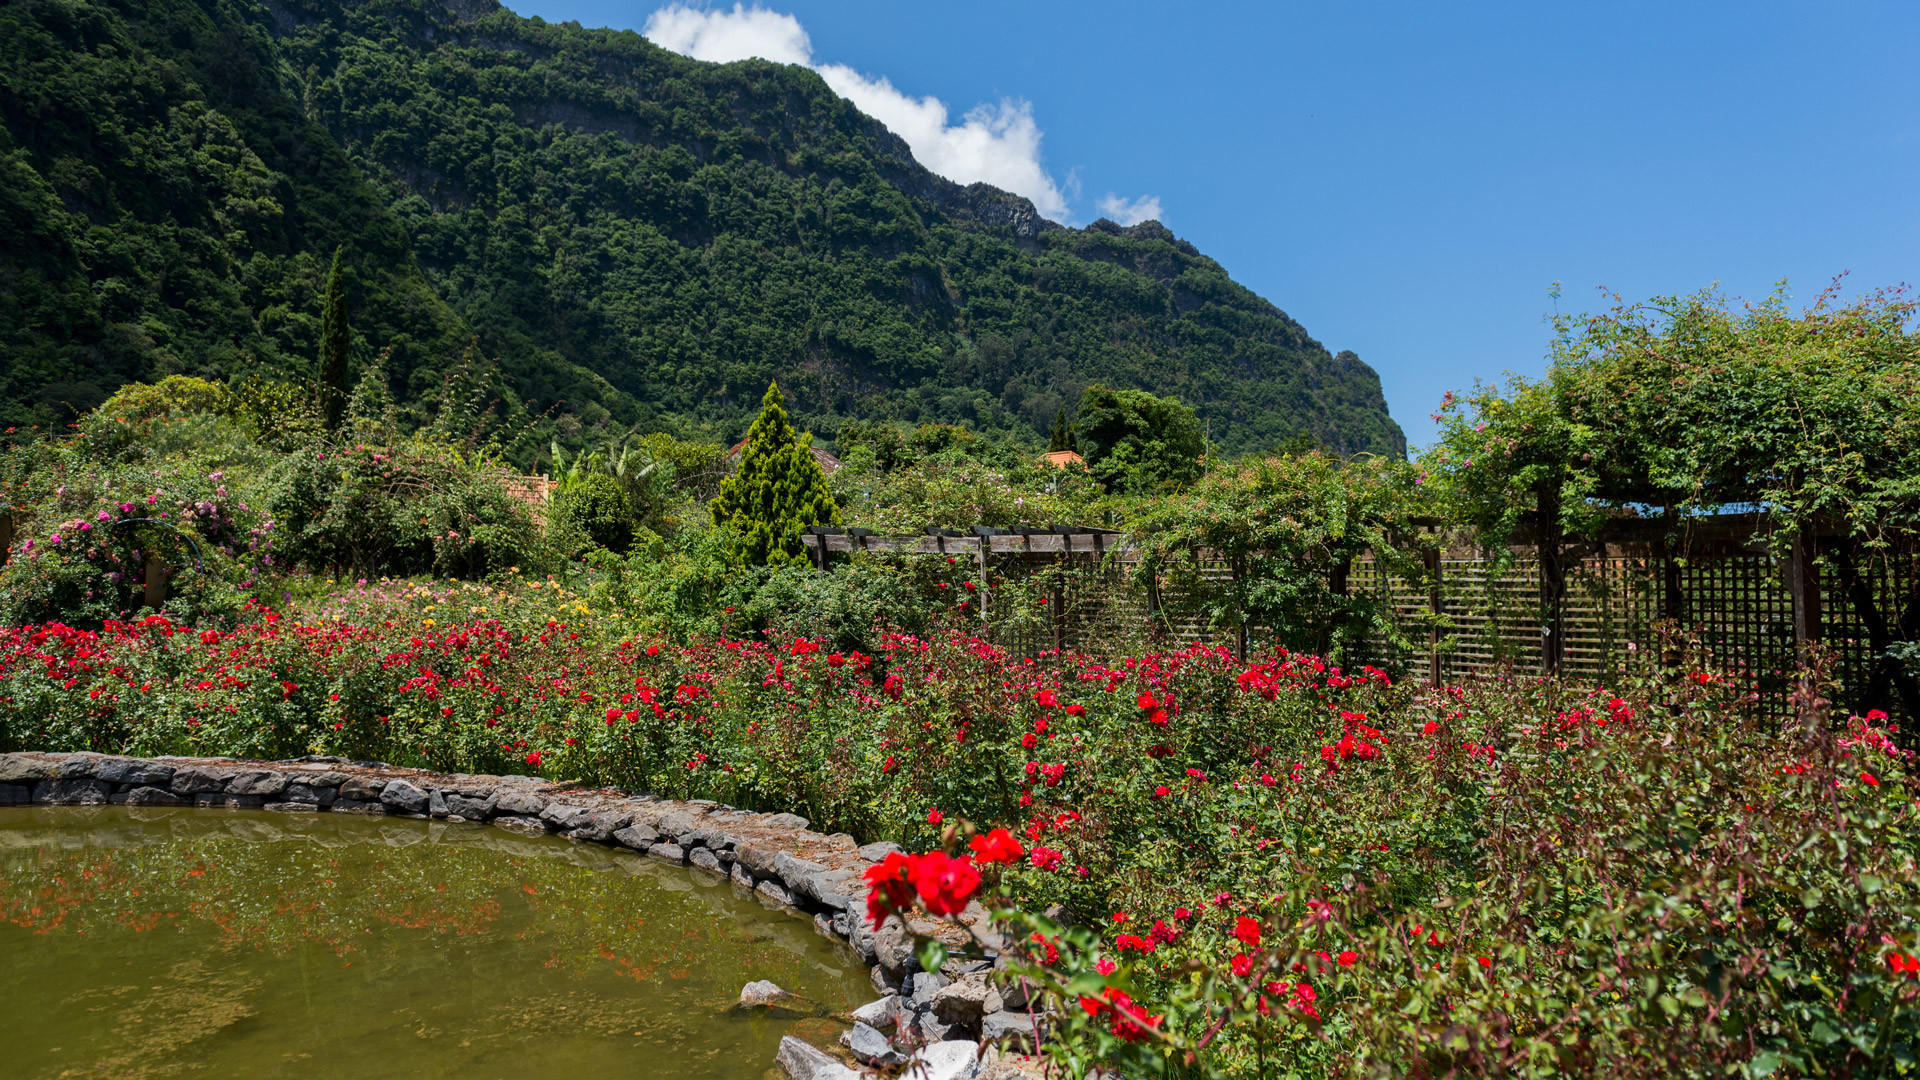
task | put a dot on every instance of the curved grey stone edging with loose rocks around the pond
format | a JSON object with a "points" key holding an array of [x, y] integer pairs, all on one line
{"points": [[775, 856]]}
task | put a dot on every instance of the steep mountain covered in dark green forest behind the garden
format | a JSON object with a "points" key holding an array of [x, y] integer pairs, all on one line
{"points": [[640, 239]]}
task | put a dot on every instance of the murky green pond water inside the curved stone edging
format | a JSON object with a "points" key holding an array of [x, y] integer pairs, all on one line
{"points": [[172, 943]]}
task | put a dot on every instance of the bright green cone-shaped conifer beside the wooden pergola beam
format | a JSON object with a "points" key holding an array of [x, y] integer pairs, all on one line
{"points": [[775, 493]]}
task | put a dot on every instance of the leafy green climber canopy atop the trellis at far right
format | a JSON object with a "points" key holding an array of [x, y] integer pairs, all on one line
{"points": [[1689, 406]]}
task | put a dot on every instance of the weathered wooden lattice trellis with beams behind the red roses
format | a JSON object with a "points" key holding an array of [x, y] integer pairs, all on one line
{"points": [[1746, 593]]}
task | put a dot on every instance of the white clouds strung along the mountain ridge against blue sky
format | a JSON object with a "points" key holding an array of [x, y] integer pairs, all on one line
{"points": [[996, 145]]}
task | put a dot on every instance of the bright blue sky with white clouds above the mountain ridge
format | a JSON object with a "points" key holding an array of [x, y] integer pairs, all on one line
{"points": [[1410, 180]]}
